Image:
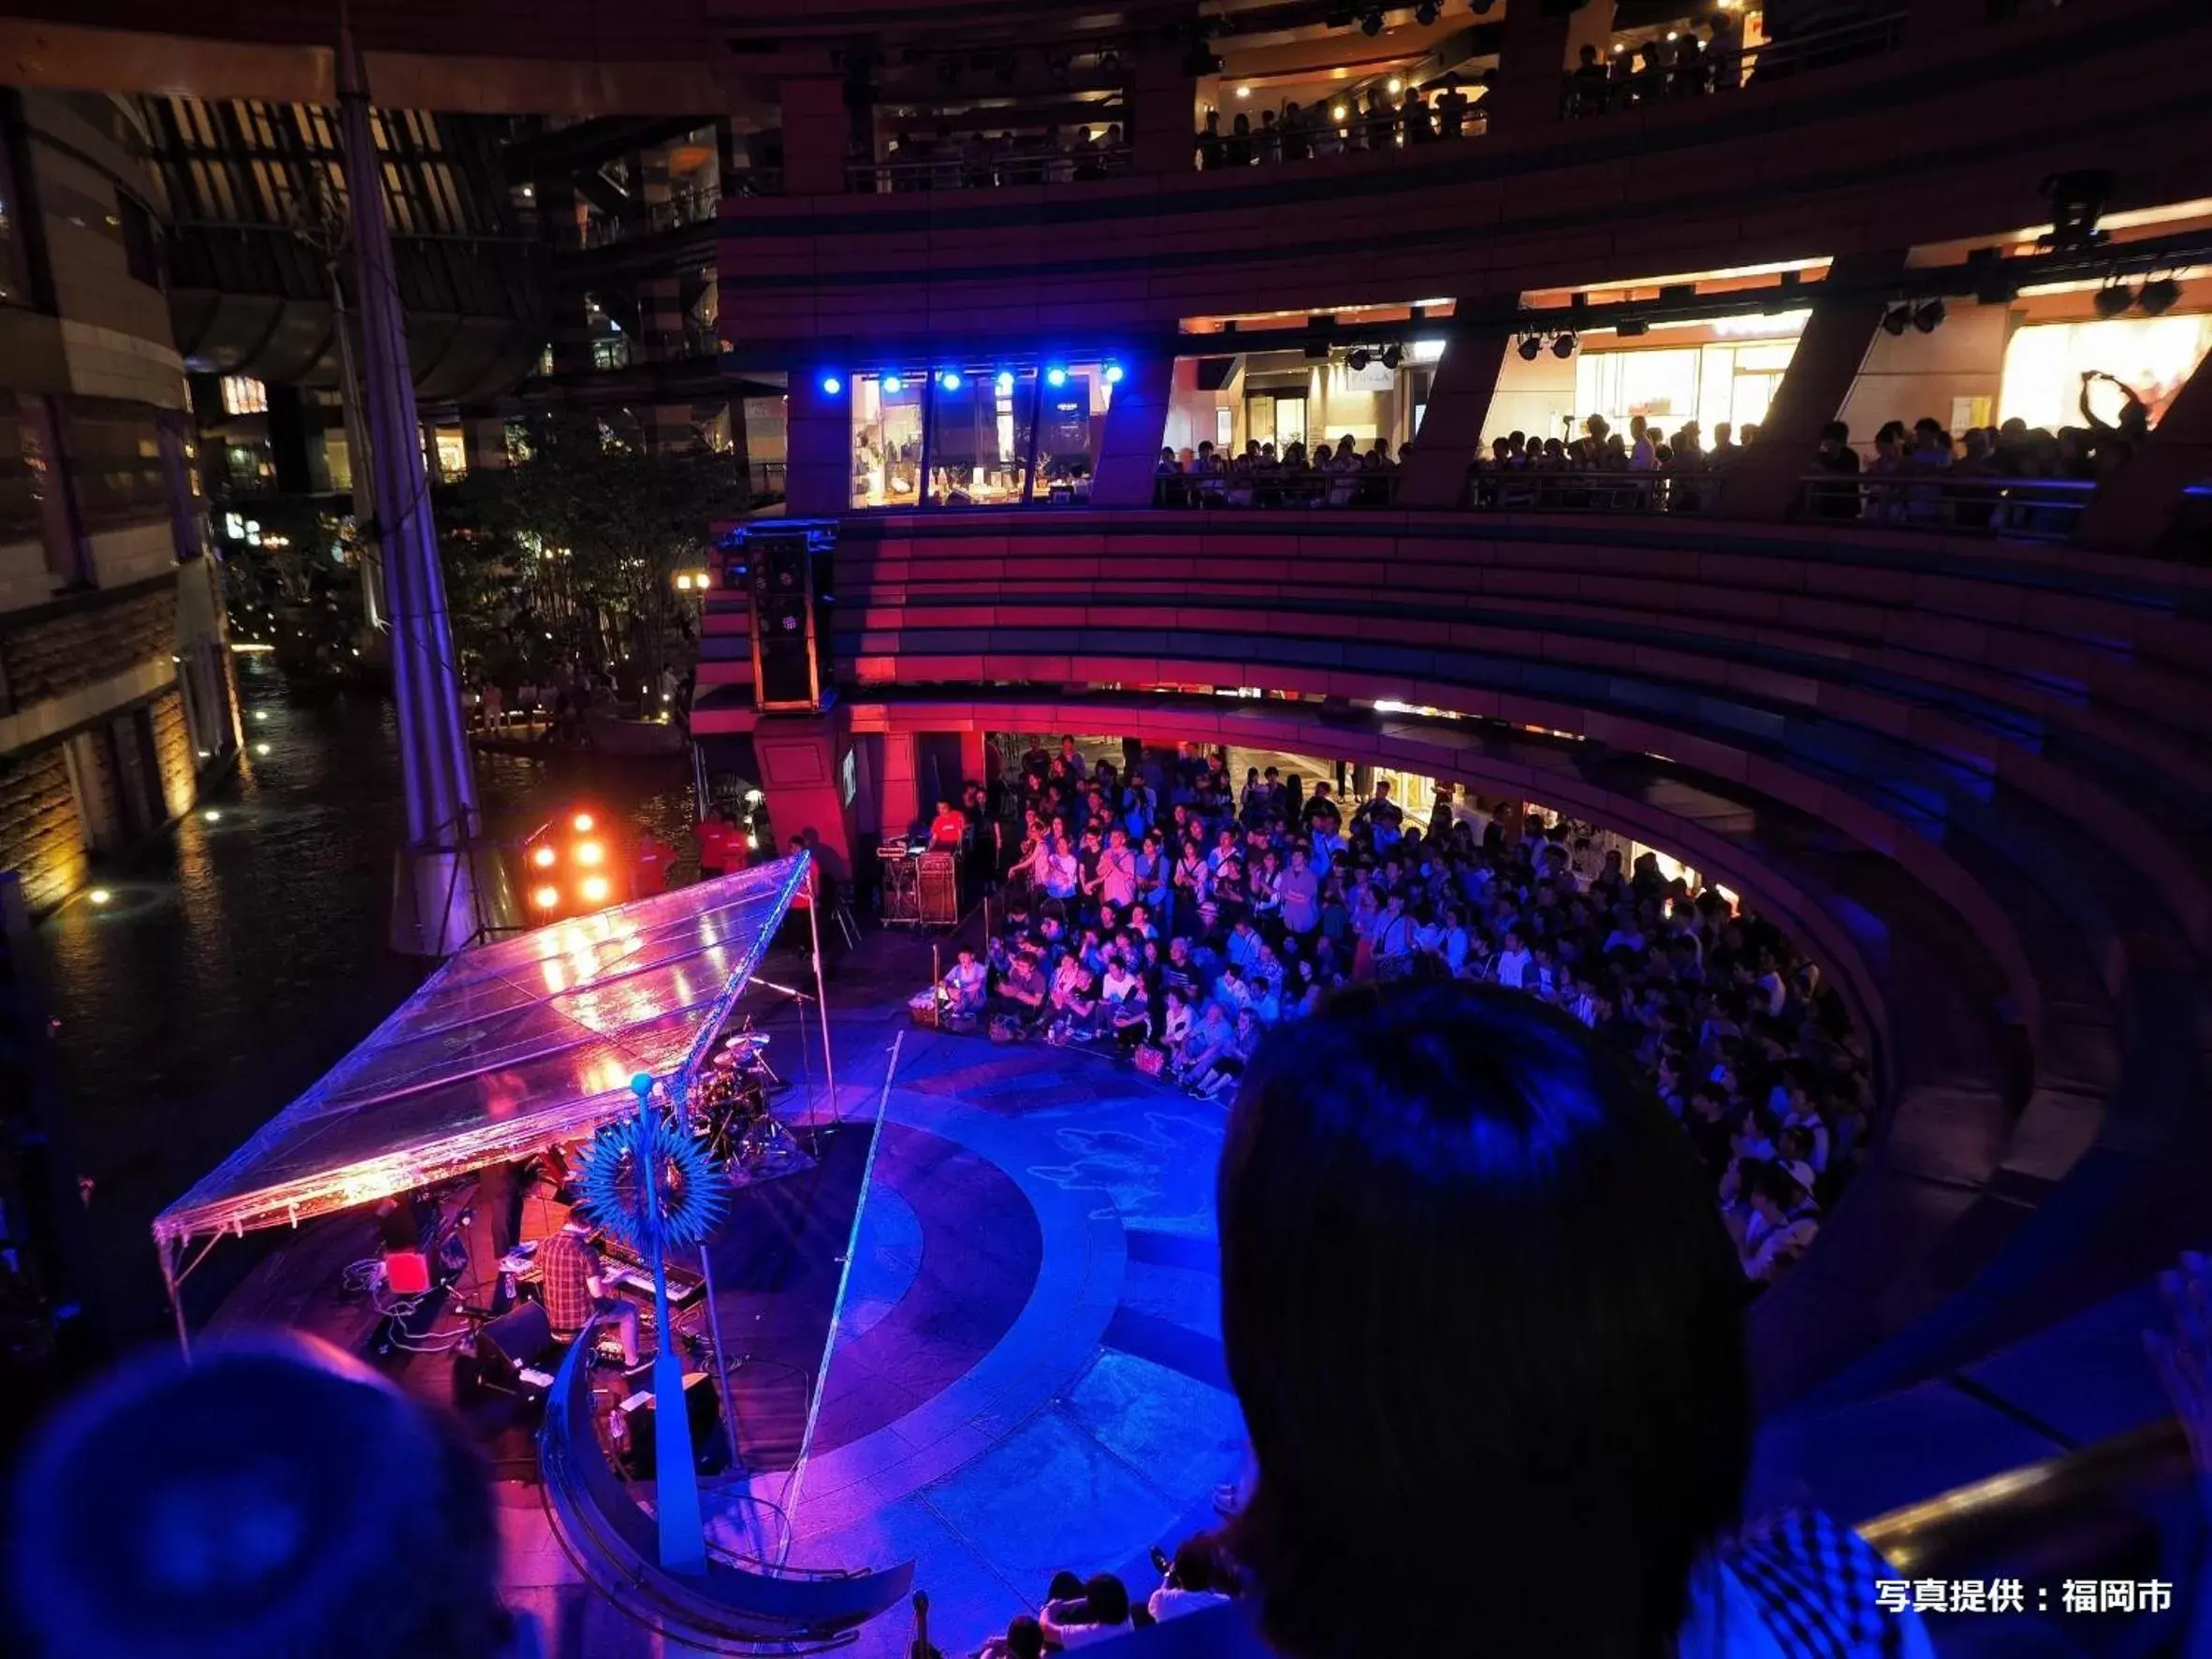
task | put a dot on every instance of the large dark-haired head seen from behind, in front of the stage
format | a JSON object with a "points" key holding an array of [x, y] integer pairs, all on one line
{"points": [[1488, 1335]]}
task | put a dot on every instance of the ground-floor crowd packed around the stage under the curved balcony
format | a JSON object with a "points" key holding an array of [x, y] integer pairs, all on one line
{"points": [[1178, 919]]}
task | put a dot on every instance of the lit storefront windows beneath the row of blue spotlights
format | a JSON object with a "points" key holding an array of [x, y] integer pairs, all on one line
{"points": [[977, 435]]}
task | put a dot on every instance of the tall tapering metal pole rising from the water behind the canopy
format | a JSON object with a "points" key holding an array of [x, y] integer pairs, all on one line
{"points": [[446, 893]]}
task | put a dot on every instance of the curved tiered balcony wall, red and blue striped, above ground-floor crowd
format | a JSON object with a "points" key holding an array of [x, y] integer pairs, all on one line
{"points": [[1972, 778]]}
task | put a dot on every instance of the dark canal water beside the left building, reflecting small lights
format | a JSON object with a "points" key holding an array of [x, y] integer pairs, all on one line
{"points": [[231, 968]]}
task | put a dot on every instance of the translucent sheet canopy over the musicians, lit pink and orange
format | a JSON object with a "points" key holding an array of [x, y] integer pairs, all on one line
{"points": [[505, 1050]]}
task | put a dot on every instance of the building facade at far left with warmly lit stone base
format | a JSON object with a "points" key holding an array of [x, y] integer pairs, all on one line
{"points": [[114, 667]]}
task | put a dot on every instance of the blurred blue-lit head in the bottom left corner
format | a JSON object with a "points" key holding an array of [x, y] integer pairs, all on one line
{"points": [[264, 1503]]}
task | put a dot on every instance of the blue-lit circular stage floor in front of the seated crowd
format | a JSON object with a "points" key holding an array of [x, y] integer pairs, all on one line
{"points": [[1027, 1373]]}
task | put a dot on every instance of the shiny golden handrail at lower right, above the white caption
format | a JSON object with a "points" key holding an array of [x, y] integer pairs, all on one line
{"points": [[1970, 1525]]}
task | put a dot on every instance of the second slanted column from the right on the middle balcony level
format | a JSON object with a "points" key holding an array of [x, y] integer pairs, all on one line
{"points": [[1764, 483]]}
